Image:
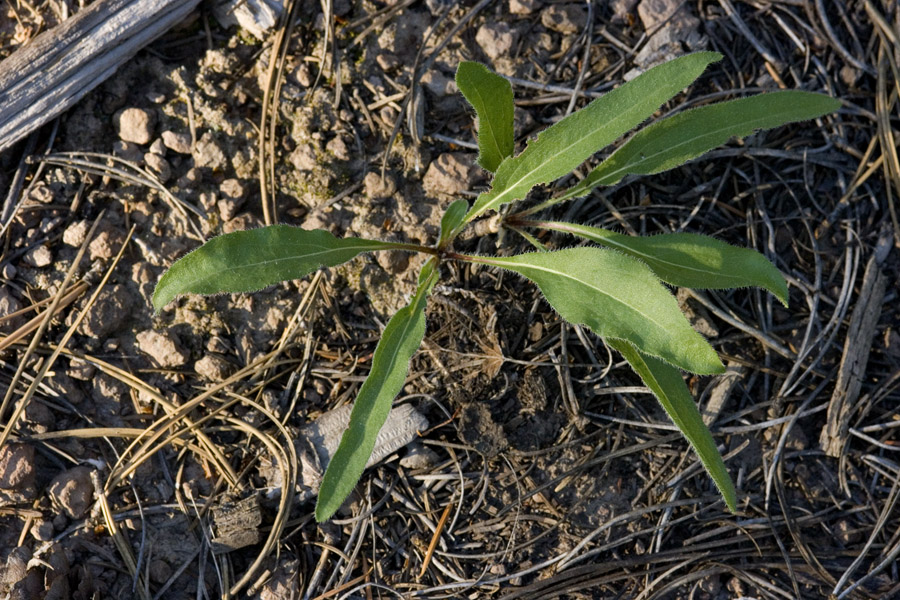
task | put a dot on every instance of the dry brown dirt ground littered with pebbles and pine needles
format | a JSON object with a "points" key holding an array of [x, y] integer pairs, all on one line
{"points": [[547, 471]]}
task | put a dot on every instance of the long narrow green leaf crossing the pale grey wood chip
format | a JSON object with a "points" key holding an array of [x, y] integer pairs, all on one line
{"points": [[390, 363]]}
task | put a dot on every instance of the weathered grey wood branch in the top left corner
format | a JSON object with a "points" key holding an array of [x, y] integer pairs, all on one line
{"points": [[57, 68]]}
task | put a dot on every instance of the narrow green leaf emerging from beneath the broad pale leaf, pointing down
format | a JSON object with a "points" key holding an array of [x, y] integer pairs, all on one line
{"points": [[669, 388]]}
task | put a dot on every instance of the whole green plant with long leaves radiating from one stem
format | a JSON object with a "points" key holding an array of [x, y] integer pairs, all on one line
{"points": [[615, 288]]}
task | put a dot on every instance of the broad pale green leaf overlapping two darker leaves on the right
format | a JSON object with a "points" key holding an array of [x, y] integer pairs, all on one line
{"points": [[616, 296]]}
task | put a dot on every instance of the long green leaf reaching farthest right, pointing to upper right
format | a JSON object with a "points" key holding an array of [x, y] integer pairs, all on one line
{"points": [[680, 138]]}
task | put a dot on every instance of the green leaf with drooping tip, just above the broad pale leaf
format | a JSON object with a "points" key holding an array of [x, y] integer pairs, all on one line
{"points": [[690, 260]]}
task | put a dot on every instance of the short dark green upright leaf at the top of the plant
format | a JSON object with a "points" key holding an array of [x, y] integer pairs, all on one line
{"points": [[491, 97]]}
